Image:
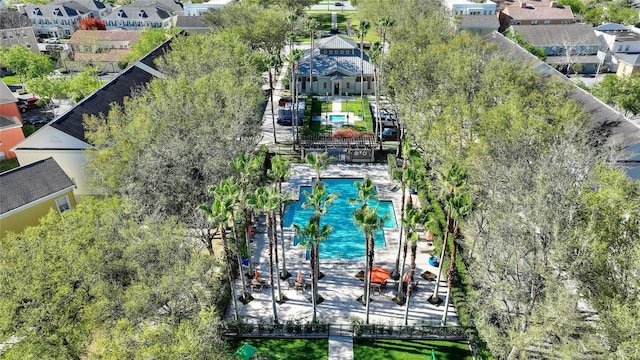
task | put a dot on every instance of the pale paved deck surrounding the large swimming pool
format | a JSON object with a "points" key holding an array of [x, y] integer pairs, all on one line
{"points": [[340, 288]]}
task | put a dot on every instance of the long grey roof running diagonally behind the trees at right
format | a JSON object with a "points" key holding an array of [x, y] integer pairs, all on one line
{"points": [[608, 127]]}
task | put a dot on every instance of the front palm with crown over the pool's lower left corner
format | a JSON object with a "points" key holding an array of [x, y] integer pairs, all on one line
{"points": [[311, 235]]}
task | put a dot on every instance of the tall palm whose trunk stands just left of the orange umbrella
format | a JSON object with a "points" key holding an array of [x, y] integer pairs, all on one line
{"points": [[369, 223]]}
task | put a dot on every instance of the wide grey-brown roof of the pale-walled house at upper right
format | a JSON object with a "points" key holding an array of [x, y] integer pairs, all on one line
{"points": [[557, 35]]}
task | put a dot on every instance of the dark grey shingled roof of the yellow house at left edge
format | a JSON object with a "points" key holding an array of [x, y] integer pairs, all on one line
{"points": [[26, 184]]}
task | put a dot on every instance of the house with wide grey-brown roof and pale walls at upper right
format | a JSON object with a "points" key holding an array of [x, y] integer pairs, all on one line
{"points": [[568, 47]]}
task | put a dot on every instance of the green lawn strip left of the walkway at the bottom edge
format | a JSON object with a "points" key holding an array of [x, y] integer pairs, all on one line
{"points": [[289, 349]]}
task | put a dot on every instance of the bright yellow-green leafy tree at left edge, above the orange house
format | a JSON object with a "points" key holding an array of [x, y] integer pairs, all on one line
{"points": [[25, 63]]}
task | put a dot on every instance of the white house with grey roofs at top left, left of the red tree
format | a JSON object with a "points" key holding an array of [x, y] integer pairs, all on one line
{"points": [[57, 20]]}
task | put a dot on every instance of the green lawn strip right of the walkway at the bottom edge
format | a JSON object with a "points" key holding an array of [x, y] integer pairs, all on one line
{"points": [[409, 349]]}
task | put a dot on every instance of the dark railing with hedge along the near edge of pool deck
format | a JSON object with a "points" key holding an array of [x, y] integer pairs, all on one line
{"points": [[298, 329]]}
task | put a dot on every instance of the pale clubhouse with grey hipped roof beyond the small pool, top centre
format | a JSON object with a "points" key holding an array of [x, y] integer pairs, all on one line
{"points": [[336, 68]]}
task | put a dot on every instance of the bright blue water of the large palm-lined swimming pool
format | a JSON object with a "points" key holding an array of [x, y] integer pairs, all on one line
{"points": [[346, 242]]}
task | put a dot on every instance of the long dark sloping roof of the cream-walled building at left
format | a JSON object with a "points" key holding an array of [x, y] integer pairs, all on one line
{"points": [[123, 85]]}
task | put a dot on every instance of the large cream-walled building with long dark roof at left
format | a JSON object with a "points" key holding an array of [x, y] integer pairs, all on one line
{"points": [[64, 137]]}
